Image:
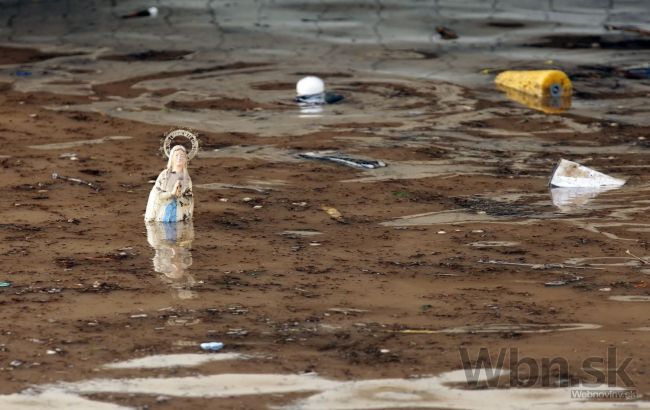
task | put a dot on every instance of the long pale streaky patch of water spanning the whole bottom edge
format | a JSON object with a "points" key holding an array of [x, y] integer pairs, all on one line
{"points": [[431, 392]]}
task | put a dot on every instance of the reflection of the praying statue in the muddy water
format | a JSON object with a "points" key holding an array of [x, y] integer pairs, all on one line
{"points": [[172, 242]]}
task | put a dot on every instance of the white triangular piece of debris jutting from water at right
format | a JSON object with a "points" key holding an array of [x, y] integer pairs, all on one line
{"points": [[569, 174]]}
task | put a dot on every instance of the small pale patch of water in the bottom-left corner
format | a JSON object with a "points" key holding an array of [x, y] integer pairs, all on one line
{"points": [[53, 400]]}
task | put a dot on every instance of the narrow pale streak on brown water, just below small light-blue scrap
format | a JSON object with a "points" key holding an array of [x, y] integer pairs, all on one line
{"points": [[173, 360]]}
